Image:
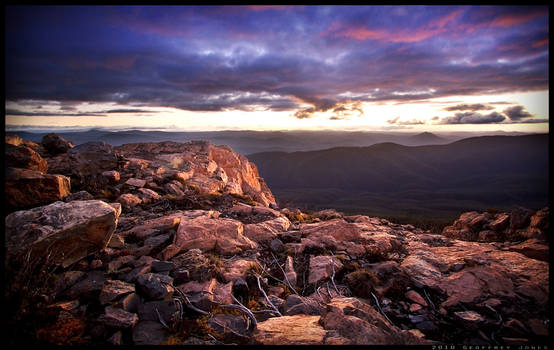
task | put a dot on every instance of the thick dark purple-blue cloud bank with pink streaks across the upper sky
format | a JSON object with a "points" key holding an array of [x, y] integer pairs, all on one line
{"points": [[302, 59]]}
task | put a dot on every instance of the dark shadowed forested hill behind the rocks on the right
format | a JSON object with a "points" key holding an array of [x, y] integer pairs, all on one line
{"points": [[389, 179]]}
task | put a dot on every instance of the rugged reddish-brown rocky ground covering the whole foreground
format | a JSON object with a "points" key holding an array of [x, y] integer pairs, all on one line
{"points": [[182, 243]]}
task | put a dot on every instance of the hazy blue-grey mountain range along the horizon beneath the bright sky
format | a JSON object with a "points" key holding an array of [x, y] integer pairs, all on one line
{"points": [[246, 142]]}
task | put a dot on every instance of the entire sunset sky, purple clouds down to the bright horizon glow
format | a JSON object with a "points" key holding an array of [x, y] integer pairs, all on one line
{"points": [[404, 68]]}
